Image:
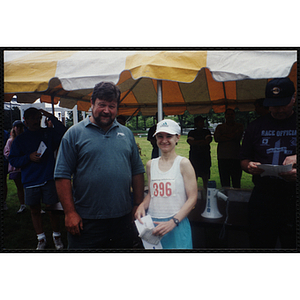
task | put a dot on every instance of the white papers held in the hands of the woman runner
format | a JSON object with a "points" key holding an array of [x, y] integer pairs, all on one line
{"points": [[149, 240]]}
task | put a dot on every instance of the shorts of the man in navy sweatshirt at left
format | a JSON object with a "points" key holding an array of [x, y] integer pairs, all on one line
{"points": [[47, 193]]}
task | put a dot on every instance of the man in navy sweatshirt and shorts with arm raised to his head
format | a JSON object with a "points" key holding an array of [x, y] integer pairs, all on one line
{"points": [[37, 169]]}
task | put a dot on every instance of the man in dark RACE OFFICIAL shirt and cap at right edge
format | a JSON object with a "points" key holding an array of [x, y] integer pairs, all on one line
{"points": [[272, 139]]}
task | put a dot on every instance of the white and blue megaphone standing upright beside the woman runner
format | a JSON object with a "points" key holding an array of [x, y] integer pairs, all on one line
{"points": [[211, 210]]}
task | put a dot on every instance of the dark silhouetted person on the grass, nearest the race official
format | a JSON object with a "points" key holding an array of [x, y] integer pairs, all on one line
{"points": [[228, 136]]}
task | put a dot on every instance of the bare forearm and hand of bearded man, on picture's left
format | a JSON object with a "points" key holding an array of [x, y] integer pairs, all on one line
{"points": [[73, 221]]}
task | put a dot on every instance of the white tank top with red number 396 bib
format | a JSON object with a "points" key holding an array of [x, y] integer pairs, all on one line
{"points": [[167, 190]]}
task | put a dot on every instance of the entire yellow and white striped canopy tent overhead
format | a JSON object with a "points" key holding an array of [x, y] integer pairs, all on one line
{"points": [[150, 81]]}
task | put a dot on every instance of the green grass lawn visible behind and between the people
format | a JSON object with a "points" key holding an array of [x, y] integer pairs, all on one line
{"points": [[18, 232]]}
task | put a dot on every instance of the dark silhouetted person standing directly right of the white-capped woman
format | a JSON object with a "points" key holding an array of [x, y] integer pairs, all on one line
{"points": [[199, 155]]}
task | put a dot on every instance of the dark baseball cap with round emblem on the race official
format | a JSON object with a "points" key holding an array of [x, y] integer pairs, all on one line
{"points": [[279, 92]]}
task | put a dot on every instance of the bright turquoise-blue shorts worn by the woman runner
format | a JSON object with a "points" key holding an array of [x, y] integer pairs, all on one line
{"points": [[179, 238]]}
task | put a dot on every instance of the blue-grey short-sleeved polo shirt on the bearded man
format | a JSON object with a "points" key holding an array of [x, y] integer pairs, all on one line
{"points": [[102, 165]]}
